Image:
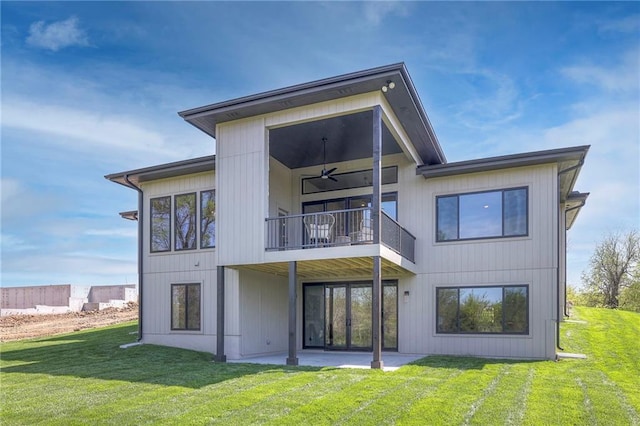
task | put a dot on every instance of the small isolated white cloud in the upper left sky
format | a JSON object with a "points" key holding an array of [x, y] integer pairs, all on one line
{"points": [[57, 35]]}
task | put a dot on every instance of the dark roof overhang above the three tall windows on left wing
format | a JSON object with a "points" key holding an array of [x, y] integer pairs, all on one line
{"points": [[133, 178]]}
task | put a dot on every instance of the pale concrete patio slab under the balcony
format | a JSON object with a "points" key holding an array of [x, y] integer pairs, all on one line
{"points": [[392, 360]]}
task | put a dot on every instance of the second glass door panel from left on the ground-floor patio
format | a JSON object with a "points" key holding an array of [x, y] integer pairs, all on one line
{"points": [[336, 317]]}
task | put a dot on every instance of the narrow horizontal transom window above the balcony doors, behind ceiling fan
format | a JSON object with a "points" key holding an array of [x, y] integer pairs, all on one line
{"points": [[358, 179]]}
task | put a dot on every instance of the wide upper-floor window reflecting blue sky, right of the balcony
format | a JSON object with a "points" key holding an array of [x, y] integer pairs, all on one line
{"points": [[482, 215]]}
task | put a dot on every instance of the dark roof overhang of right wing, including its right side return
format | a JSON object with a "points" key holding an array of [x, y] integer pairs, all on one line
{"points": [[569, 161]]}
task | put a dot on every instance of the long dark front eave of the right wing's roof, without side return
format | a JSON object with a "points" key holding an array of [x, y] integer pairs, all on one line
{"points": [[577, 153]]}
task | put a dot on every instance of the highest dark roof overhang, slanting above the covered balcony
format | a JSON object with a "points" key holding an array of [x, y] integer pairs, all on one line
{"points": [[403, 99]]}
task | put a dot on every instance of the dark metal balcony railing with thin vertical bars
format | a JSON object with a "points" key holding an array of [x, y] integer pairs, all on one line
{"points": [[336, 228]]}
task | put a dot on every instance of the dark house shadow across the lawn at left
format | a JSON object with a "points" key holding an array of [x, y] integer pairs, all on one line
{"points": [[96, 354]]}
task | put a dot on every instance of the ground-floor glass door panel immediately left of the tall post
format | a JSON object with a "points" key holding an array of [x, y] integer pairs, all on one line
{"points": [[359, 320]]}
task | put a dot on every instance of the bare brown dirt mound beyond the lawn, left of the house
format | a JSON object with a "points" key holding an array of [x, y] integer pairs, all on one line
{"points": [[17, 327]]}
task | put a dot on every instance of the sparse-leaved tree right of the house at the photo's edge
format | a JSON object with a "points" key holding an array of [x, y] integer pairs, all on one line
{"points": [[613, 266]]}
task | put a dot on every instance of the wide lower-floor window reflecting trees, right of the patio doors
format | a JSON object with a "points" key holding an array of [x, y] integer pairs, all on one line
{"points": [[483, 310]]}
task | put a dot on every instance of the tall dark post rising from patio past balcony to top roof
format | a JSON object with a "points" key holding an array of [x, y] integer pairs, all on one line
{"points": [[375, 222]]}
